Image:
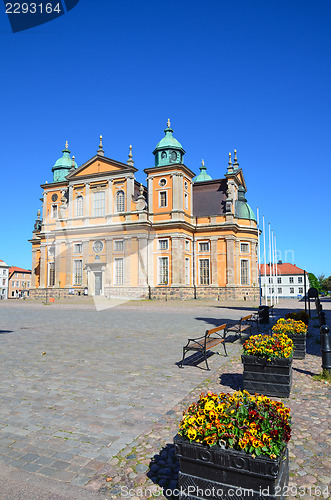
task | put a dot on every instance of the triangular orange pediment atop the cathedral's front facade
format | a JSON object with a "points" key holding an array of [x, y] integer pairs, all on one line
{"points": [[100, 165]]}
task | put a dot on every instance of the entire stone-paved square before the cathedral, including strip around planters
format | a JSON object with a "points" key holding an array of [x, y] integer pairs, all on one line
{"points": [[94, 398]]}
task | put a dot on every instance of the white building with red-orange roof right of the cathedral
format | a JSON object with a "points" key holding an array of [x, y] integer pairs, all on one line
{"points": [[289, 281]]}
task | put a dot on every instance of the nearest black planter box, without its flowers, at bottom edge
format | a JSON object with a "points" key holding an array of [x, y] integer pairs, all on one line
{"points": [[213, 473]]}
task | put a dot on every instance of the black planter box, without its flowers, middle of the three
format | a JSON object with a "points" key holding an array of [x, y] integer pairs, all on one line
{"points": [[271, 378]]}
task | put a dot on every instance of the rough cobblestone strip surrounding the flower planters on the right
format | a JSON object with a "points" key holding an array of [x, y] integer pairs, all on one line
{"points": [[148, 463]]}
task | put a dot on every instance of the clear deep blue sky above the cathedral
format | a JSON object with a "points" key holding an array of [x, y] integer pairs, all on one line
{"points": [[254, 76]]}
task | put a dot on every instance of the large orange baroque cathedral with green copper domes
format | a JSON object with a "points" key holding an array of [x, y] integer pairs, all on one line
{"points": [[100, 232]]}
